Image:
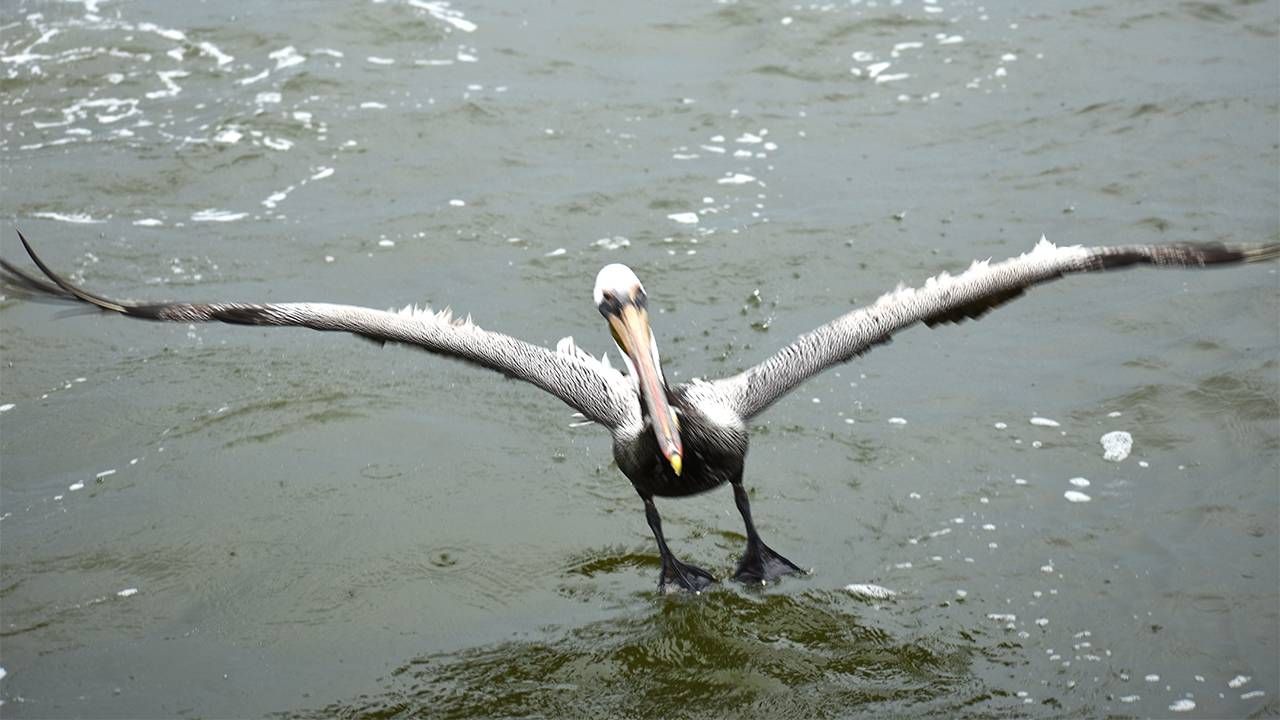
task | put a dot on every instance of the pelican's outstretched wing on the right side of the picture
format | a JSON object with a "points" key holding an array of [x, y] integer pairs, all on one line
{"points": [[953, 299]]}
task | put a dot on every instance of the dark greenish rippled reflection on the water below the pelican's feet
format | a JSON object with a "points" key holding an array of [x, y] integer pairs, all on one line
{"points": [[730, 653]]}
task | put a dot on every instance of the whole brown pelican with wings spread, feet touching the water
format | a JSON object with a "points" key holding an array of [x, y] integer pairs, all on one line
{"points": [[688, 439]]}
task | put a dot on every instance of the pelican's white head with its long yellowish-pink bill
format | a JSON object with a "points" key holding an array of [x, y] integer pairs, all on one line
{"points": [[623, 302]]}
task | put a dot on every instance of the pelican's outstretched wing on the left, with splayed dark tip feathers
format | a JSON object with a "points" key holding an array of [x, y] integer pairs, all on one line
{"points": [[589, 386]]}
